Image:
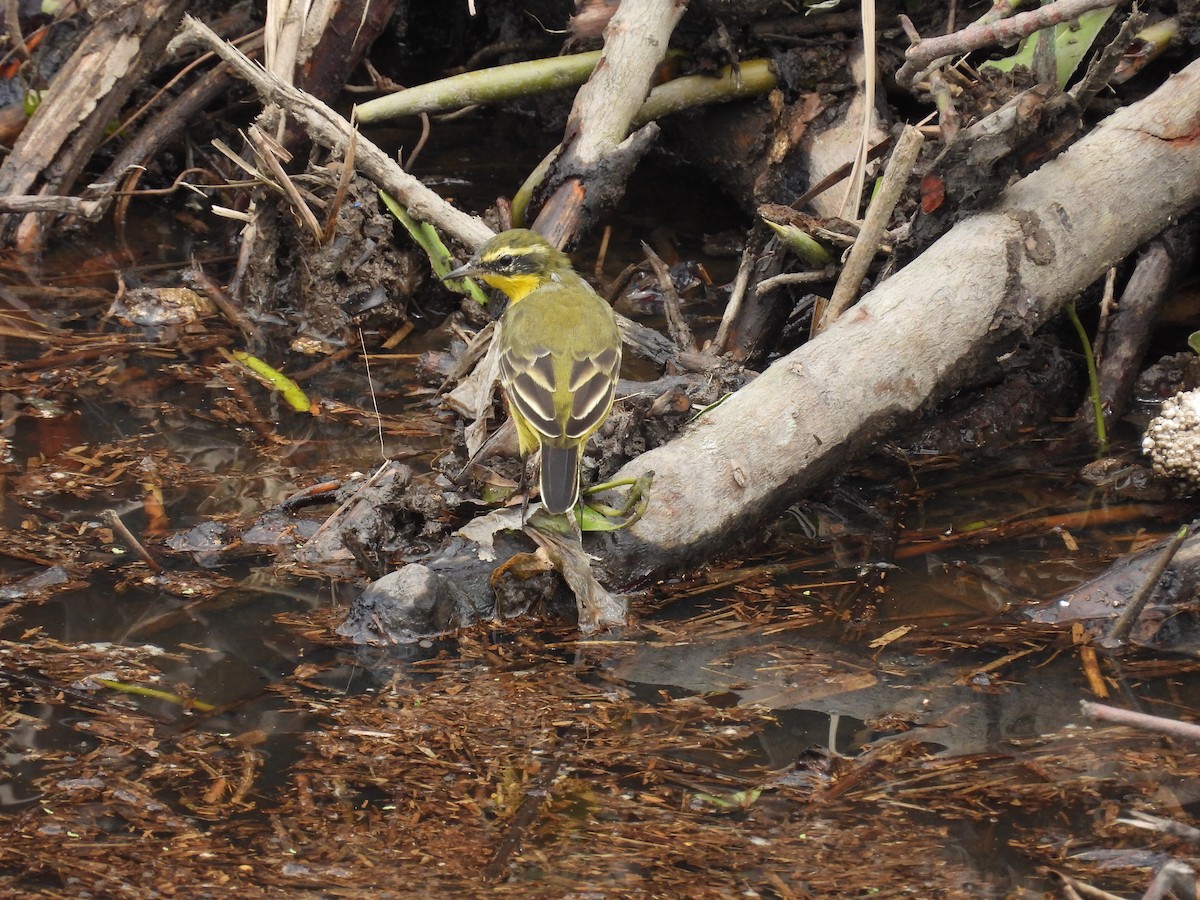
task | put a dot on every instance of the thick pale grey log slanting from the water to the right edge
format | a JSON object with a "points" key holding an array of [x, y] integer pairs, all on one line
{"points": [[909, 343]]}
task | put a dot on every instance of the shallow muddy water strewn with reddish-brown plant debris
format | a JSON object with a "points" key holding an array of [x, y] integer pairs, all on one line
{"points": [[860, 710]]}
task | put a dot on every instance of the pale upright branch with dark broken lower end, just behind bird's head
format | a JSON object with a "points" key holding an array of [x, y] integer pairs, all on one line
{"points": [[598, 153]]}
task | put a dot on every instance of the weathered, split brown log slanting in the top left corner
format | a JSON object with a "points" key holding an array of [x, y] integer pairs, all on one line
{"points": [[127, 40]]}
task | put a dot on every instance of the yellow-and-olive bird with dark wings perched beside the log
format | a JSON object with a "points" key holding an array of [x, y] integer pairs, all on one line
{"points": [[560, 352]]}
